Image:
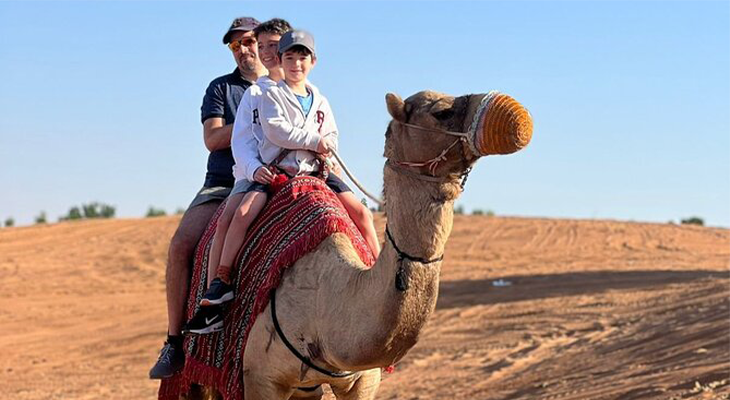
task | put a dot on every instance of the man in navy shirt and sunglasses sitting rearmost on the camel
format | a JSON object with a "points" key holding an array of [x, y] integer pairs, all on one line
{"points": [[217, 114]]}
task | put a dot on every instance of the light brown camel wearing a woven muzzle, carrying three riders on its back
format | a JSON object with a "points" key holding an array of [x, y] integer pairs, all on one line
{"points": [[352, 321]]}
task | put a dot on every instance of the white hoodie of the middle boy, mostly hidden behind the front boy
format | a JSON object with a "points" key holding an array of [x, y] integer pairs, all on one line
{"points": [[247, 133]]}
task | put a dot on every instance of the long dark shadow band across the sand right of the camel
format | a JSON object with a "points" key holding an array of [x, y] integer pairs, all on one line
{"points": [[454, 294]]}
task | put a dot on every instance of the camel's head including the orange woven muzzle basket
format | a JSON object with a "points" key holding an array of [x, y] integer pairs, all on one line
{"points": [[438, 136]]}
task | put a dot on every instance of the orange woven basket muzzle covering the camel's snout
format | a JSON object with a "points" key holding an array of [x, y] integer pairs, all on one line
{"points": [[504, 125]]}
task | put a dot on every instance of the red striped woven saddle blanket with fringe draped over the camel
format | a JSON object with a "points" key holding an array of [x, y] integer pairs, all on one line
{"points": [[294, 222]]}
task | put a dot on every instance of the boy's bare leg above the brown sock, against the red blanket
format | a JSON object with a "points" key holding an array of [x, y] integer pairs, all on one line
{"points": [[250, 207]]}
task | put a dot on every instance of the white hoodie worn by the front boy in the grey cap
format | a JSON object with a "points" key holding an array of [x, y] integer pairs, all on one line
{"points": [[286, 127]]}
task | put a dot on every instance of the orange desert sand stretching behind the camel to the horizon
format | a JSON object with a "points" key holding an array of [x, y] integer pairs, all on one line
{"points": [[589, 310]]}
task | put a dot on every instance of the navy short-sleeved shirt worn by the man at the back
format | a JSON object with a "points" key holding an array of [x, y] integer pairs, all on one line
{"points": [[221, 101]]}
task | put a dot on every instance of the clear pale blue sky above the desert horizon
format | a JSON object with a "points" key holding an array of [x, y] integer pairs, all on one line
{"points": [[100, 101]]}
